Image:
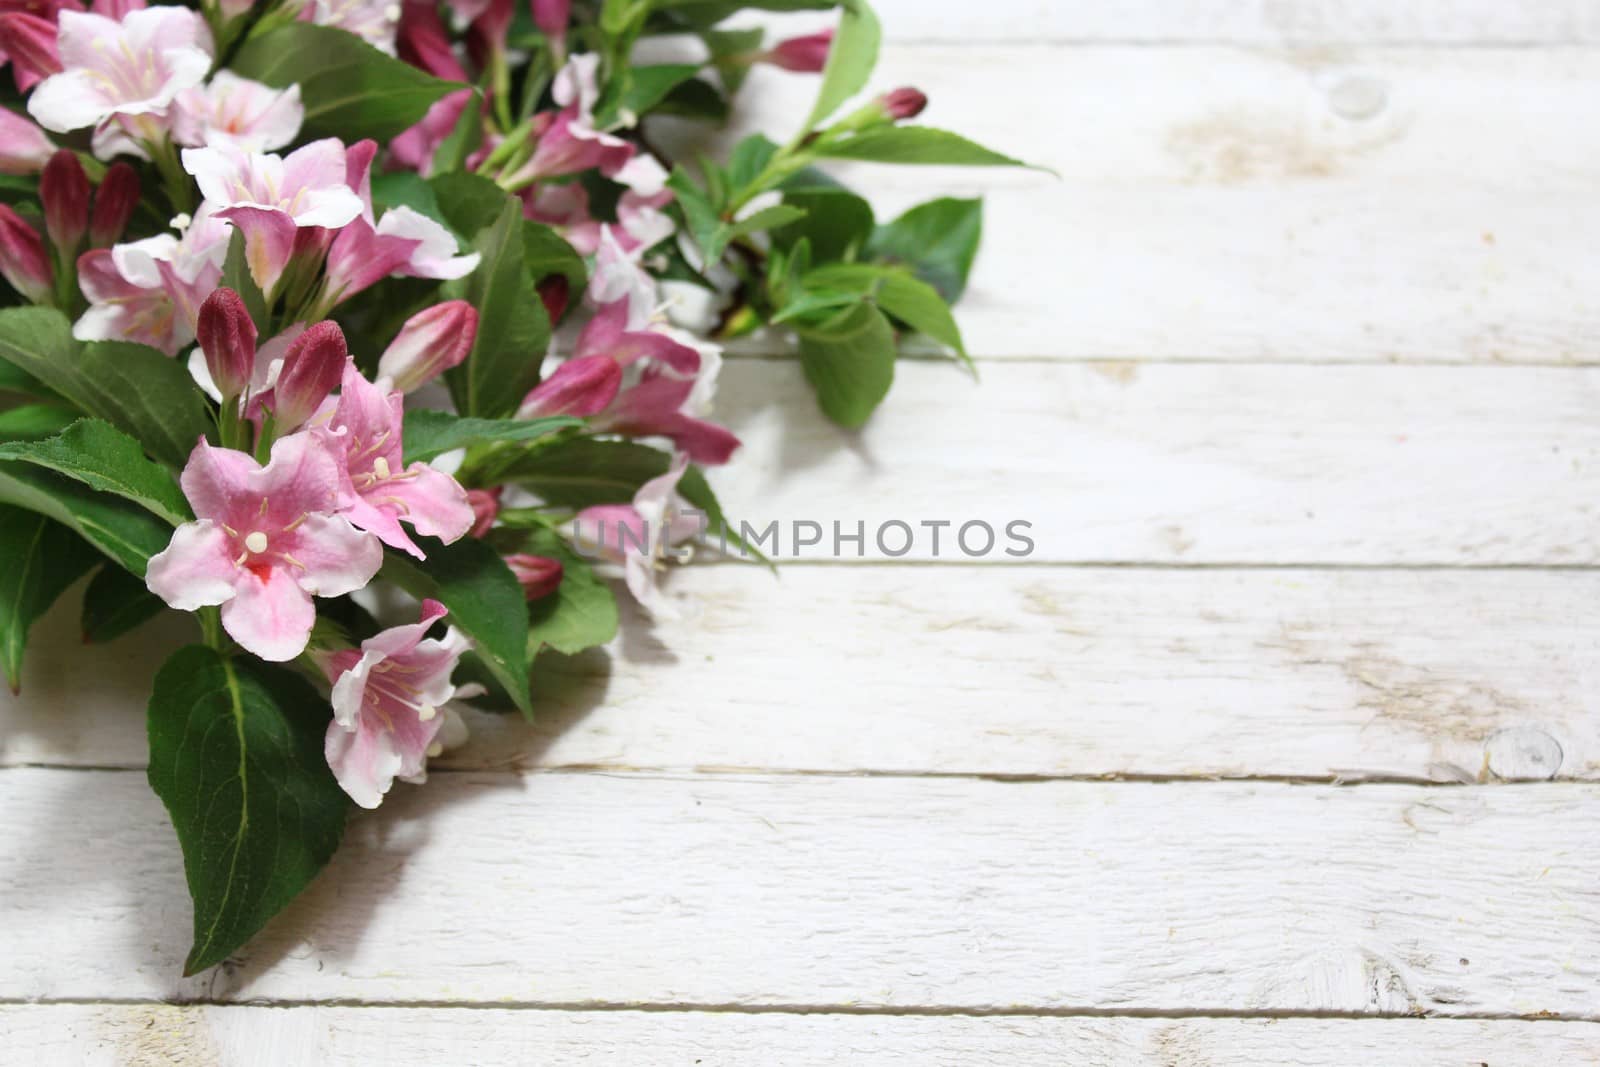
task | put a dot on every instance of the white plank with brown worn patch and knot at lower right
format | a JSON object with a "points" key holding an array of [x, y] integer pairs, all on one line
{"points": [[1015, 671]]}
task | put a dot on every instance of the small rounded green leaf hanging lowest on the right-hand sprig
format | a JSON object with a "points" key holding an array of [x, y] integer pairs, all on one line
{"points": [[850, 364]]}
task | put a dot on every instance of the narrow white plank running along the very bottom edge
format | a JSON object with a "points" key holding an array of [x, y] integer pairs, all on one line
{"points": [[118, 1036]]}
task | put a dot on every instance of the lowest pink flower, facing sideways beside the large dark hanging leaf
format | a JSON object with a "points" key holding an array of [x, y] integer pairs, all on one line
{"points": [[390, 706]]}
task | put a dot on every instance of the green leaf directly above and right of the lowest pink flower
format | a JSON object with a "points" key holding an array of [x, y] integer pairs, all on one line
{"points": [[486, 604]]}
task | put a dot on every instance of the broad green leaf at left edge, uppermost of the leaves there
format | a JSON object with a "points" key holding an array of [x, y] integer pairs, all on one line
{"points": [[137, 390]]}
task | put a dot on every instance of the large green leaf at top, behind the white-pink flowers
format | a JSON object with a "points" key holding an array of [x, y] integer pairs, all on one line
{"points": [[351, 90]]}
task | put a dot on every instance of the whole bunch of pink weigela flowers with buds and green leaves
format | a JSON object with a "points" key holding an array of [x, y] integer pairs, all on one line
{"points": [[286, 282]]}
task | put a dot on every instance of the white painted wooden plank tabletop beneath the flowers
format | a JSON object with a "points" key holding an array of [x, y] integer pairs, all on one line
{"points": [[1282, 748]]}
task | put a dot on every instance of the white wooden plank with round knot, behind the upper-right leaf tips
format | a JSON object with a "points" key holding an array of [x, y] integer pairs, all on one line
{"points": [[1263, 206]]}
